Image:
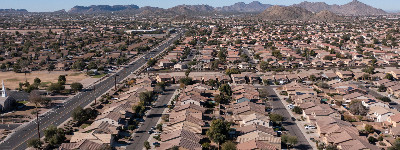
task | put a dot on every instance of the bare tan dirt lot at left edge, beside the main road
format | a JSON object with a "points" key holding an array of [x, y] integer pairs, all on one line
{"points": [[12, 79]]}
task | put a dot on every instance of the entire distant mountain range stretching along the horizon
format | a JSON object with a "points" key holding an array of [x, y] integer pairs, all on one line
{"points": [[354, 8]]}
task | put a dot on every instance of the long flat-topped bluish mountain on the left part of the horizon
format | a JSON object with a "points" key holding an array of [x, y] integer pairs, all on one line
{"points": [[102, 8]]}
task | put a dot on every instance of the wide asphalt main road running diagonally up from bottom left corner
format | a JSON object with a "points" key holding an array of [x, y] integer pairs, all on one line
{"points": [[18, 140]]}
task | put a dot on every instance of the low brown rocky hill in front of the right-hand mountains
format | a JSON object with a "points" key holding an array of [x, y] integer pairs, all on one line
{"points": [[297, 13]]}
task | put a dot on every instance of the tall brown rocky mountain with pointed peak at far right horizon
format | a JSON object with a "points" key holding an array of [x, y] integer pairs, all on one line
{"points": [[354, 8]]}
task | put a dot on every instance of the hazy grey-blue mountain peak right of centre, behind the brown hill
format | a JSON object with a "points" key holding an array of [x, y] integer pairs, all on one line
{"points": [[254, 6]]}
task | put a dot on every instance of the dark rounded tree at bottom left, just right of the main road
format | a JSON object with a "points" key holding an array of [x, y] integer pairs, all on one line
{"points": [[54, 136]]}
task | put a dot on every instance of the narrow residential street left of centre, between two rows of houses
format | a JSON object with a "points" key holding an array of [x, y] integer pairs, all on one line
{"points": [[154, 115]]}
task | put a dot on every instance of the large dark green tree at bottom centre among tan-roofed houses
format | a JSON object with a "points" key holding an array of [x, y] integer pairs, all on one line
{"points": [[218, 131]]}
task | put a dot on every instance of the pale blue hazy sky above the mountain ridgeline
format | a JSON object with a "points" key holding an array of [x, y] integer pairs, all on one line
{"points": [[53, 5]]}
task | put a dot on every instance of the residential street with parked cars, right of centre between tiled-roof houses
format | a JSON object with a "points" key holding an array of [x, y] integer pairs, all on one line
{"points": [[290, 125]]}
